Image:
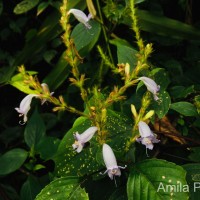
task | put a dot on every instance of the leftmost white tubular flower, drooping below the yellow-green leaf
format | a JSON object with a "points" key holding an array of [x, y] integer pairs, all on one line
{"points": [[25, 106]]}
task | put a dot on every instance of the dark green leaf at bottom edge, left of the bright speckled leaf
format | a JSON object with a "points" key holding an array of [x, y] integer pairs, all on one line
{"points": [[30, 189]]}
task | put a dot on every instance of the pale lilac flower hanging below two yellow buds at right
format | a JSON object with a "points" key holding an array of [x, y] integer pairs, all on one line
{"points": [[147, 136]]}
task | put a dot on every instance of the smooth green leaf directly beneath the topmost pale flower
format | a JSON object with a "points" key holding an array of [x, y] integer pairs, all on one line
{"points": [[84, 38]]}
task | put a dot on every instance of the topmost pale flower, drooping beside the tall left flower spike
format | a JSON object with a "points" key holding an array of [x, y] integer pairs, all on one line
{"points": [[81, 17]]}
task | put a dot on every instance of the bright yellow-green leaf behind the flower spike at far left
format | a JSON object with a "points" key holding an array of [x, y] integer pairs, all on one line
{"points": [[18, 82]]}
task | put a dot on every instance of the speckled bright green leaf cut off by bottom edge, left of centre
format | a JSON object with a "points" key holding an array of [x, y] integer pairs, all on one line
{"points": [[63, 188]]}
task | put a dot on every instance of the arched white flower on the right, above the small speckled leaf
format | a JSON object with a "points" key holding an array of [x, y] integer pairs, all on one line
{"points": [[151, 86]]}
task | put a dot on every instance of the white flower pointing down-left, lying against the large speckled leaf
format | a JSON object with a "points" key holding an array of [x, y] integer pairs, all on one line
{"points": [[81, 139]]}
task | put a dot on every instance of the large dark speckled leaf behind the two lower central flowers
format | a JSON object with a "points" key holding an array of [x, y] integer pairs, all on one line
{"points": [[69, 162]]}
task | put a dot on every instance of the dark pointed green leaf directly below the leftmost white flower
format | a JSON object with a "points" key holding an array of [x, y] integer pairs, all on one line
{"points": [[35, 129]]}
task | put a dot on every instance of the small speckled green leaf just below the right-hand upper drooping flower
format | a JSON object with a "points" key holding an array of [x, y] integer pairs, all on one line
{"points": [[162, 106]]}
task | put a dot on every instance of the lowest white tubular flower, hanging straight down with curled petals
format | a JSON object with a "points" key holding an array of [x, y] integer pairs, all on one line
{"points": [[110, 161]]}
